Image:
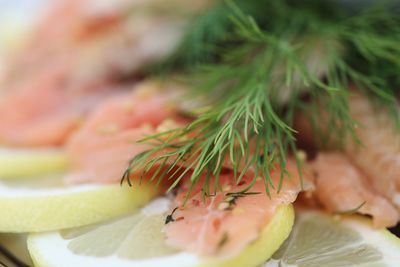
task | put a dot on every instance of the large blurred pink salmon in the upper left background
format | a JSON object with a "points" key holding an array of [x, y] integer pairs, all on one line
{"points": [[82, 45]]}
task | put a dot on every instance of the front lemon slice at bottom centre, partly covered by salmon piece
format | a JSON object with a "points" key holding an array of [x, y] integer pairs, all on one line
{"points": [[138, 240]]}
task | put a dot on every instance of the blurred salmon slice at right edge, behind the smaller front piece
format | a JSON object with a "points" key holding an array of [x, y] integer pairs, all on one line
{"points": [[379, 154]]}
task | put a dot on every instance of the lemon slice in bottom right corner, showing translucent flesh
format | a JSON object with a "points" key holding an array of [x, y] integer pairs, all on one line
{"points": [[319, 240]]}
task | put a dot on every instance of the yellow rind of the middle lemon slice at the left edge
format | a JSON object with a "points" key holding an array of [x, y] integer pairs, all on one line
{"points": [[60, 211]]}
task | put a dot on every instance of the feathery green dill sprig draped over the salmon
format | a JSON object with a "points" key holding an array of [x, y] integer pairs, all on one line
{"points": [[251, 79]]}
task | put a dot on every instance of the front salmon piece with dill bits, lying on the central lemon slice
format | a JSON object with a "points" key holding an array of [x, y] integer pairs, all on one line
{"points": [[224, 223]]}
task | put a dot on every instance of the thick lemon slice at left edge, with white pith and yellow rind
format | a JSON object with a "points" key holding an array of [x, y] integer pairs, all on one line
{"points": [[47, 204]]}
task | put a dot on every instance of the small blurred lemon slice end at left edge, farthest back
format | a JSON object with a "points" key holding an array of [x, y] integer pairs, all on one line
{"points": [[17, 163]]}
